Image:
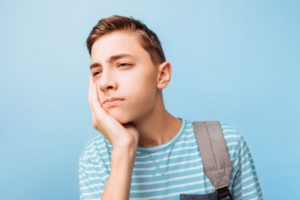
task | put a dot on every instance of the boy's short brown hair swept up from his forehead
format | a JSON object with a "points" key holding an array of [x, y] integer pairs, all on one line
{"points": [[147, 38]]}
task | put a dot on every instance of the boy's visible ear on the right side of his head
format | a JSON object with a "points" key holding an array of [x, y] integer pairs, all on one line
{"points": [[164, 74]]}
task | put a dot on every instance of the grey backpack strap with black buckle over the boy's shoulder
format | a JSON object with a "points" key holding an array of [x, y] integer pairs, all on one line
{"points": [[214, 154]]}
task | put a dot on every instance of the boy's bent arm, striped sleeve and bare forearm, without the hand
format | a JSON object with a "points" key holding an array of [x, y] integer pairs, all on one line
{"points": [[96, 180]]}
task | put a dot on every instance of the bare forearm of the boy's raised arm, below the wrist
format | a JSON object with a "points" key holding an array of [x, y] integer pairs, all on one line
{"points": [[119, 180]]}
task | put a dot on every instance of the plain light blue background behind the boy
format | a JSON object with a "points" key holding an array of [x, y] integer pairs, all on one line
{"points": [[236, 61]]}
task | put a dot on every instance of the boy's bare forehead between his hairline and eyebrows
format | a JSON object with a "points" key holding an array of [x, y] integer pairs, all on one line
{"points": [[115, 43]]}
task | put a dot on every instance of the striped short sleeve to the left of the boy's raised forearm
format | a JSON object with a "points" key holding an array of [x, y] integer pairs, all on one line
{"points": [[93, 171]]}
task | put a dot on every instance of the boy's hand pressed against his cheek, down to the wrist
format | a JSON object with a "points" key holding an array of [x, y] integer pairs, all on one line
{"points": [[118, 134]]}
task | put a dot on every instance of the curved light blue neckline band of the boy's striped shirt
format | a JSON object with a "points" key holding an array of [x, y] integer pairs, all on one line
{"points": [[165, 145]]}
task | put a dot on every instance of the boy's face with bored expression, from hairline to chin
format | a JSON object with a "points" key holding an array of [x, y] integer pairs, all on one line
{"points": [[121, 68]]}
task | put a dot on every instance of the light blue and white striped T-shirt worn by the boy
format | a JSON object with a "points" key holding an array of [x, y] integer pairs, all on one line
{"points": [[168, 170]]}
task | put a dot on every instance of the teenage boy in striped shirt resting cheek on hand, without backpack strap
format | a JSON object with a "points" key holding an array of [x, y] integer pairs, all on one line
{"points": [[143, 151]]}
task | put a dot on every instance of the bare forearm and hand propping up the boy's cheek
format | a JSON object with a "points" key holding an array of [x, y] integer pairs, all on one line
{"points": [[124, 140]]}
